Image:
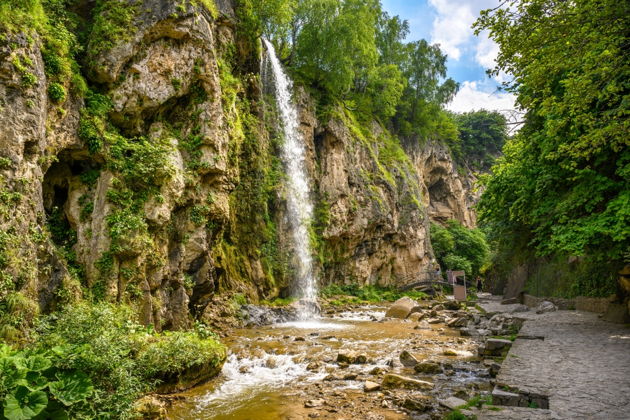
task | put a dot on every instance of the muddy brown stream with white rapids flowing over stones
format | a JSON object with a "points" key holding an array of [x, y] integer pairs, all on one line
{"points": [[274, 371]]}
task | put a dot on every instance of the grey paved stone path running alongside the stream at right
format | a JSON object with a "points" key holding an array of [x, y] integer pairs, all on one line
{"points": [[582, 365]]}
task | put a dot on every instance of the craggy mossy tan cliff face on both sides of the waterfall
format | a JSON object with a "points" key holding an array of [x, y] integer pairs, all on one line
{"points": [[160, 186]]}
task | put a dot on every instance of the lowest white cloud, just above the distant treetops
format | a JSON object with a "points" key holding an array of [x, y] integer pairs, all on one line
{"points": [[471, 97]]}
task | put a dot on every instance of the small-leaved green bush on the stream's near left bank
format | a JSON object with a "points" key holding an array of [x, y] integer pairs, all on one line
{"points": [[121, 358]]}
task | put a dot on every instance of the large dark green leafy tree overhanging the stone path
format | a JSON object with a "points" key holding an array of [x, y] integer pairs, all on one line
{"points": [[563, 185]]}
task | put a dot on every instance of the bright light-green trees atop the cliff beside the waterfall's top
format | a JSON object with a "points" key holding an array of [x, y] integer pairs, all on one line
{"points": [[351, 51]]}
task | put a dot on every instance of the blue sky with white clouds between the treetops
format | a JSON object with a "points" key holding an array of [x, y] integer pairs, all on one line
{"points": [[448, 23]]}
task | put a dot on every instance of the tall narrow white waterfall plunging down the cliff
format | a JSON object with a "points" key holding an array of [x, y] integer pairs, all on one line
{"points": [[299, 206]]}
